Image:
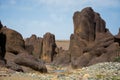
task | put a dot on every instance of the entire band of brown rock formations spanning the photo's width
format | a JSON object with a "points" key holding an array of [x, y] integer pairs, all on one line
{"points": [[90, 43]]}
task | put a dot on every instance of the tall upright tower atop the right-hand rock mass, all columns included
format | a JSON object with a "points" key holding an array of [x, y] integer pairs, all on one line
{"points": [[87, 24]]}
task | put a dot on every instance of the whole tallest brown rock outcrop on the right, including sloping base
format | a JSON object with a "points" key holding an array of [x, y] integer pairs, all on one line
{"points": [[91, 40]]}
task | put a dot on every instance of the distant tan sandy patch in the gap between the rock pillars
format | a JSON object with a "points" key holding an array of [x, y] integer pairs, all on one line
{"points": [[63, 43]]}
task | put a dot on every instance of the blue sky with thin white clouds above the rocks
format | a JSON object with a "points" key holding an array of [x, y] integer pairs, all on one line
{"points": [[55, 16]]}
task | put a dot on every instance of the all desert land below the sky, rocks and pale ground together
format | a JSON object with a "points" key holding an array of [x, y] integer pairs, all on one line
{"points": [[92, 53]]}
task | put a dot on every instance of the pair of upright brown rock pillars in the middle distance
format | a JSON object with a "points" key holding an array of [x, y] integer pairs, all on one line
{"points": [[43, 48]]}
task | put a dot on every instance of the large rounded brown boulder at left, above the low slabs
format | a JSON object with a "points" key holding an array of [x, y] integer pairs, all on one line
{"points": [[14, 41]]}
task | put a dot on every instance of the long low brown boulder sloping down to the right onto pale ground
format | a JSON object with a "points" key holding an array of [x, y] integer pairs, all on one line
{"points": [[31, 61]]}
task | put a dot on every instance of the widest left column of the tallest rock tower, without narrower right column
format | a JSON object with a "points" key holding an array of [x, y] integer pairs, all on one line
{"points": [[84, 25]]}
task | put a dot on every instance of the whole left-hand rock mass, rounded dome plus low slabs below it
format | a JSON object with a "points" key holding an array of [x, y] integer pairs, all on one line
{"points": [[13, 43]]}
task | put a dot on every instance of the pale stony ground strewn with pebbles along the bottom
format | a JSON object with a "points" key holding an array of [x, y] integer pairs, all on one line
{"points": [[100, 71]]}
